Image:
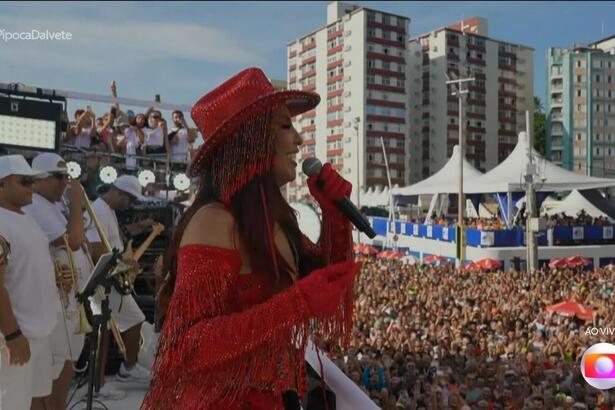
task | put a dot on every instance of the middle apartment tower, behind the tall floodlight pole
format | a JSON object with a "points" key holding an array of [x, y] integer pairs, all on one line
{"points": [[493, 110]]}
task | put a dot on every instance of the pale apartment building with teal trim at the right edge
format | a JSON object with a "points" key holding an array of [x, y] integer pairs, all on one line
{"points": [[580, 107]]}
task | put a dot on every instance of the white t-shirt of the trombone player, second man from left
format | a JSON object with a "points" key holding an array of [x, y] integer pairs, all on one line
{"points": [[52, 221]]}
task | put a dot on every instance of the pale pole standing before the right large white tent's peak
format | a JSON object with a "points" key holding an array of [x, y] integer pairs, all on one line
{"points": [[531, 222]]}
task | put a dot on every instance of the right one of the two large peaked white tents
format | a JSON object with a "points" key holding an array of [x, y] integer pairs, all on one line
{"points": [[509, 175]]}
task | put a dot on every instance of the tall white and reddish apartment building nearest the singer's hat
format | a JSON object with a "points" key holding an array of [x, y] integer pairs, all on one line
{"points": [[357, 63]]}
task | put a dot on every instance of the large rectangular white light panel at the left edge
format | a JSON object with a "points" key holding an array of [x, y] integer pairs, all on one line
{"points": [[27, 132]]}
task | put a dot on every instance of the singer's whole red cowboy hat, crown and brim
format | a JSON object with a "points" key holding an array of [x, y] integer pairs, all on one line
{"points": [[218, 113]]}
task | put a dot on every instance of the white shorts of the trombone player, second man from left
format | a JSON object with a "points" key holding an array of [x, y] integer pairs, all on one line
{"points": [[65, 347]]}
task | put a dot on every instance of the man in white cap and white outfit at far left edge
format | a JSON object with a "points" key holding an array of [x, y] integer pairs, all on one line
{"points": [[28, 299]]}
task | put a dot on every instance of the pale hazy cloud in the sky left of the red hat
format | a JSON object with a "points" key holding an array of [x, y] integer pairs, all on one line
{"points": [[97, 44]]}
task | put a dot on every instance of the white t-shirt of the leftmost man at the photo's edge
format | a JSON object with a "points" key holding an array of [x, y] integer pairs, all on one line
{"points": [[29, 276]]}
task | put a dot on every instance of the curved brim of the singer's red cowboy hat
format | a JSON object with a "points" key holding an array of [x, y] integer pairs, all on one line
{"points": [[297, 102]]}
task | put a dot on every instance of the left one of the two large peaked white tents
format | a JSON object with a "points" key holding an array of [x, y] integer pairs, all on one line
{"points": [[445, 181]]}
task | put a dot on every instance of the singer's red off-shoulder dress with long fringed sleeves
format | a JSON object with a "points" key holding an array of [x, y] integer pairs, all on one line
{"points": [[226, 345]]}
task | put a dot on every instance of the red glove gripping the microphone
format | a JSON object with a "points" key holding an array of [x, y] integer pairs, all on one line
{"points": [[333, 187]]}
